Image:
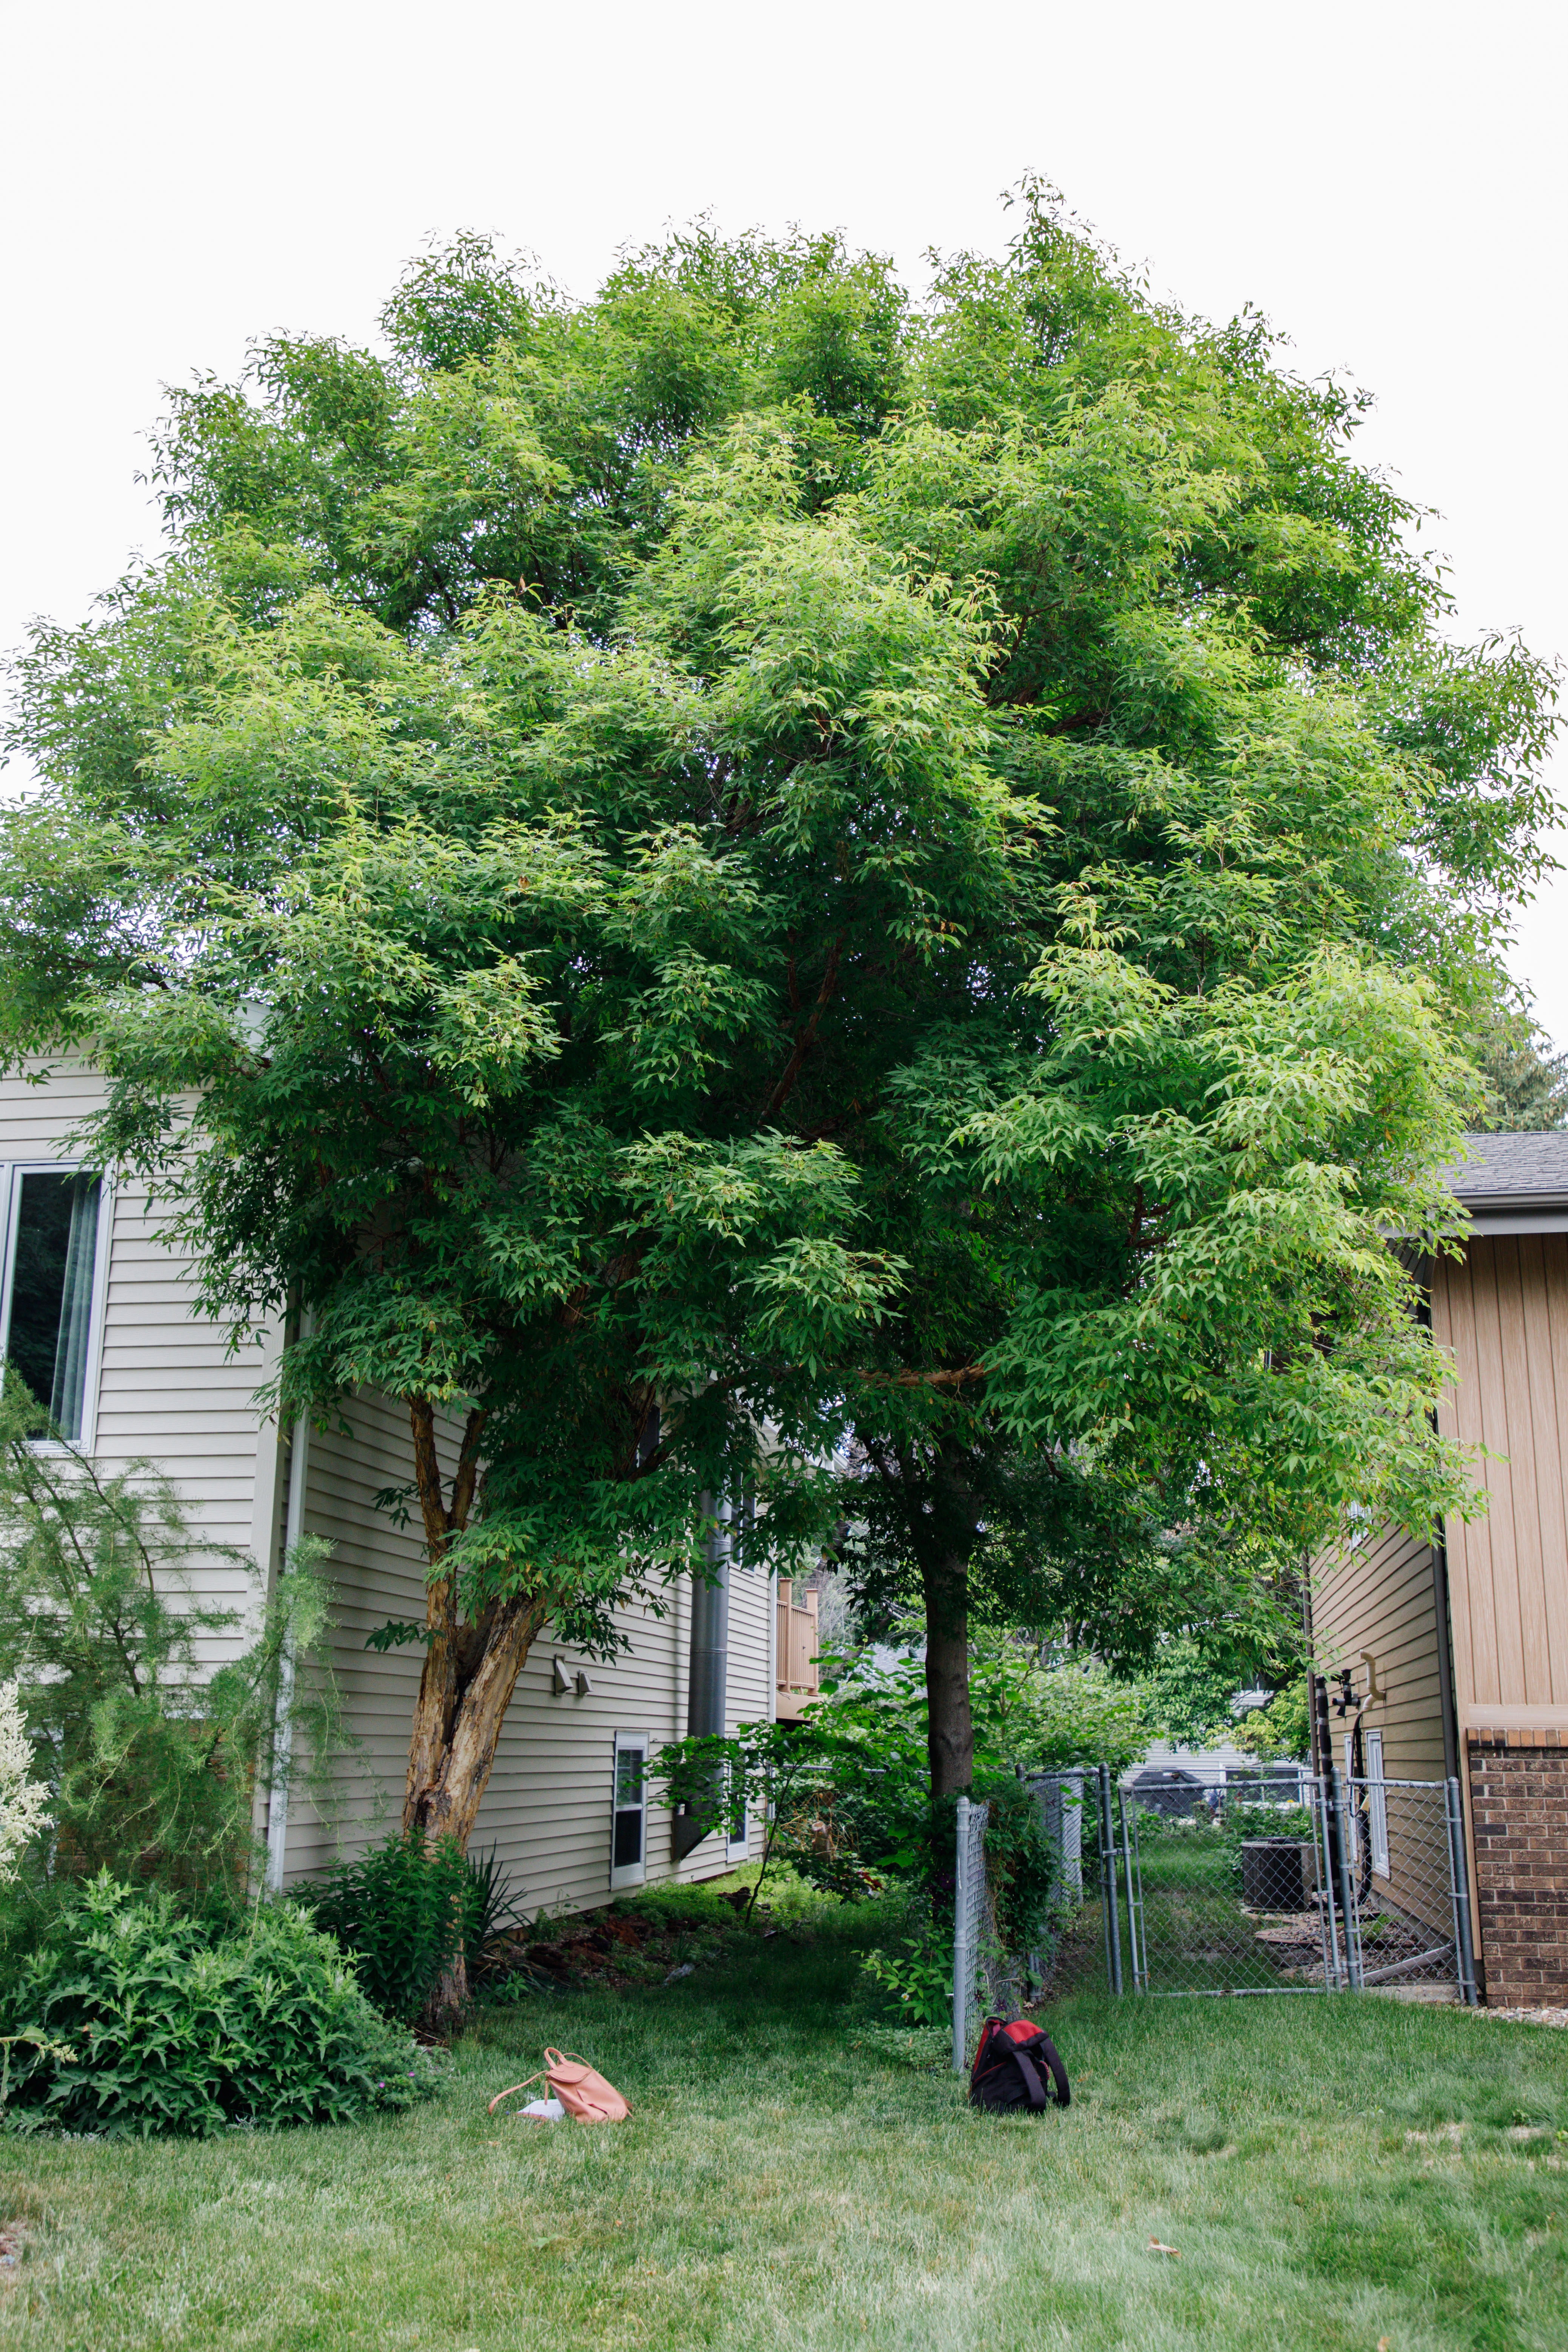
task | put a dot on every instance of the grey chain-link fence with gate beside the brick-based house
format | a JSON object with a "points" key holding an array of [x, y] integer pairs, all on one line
{"points": [[1273, 1880]]}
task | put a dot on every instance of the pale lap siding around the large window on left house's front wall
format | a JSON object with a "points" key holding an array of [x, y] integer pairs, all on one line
{"points": [[168, 1387]]}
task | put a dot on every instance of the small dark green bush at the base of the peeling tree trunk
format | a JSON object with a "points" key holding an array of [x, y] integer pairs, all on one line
{"points": [[408, 1909]]}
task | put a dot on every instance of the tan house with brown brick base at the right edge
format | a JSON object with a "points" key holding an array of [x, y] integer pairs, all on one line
{"points": [[1456, 1655]]}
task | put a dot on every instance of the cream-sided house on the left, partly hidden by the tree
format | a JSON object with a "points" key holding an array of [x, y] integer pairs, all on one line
{"points": [[102, 1321]]}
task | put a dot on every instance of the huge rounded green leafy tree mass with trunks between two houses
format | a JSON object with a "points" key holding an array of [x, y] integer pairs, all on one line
{"points": [[756, 871]]}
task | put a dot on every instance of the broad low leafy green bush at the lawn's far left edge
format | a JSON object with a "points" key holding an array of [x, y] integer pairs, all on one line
{"points": [[177, 2029]]}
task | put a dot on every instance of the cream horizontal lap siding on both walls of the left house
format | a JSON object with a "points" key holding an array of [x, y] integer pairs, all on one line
{"points": [[173, 1394]]}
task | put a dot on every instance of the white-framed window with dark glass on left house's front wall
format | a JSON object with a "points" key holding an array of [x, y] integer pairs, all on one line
{"points": [[51, 1309]]}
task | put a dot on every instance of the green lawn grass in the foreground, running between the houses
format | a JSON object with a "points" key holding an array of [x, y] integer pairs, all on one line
{"points": [[1334, 2174]]}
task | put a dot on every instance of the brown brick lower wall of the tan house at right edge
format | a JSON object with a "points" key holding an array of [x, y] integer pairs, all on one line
{"points": [[1520, 1810]]}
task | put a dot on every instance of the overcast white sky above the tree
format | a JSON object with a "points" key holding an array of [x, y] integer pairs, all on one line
{"points": [[1383, 180]]}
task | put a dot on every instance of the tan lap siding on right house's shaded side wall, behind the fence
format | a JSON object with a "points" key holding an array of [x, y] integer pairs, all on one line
{"points": [[1381, 1598]]}
